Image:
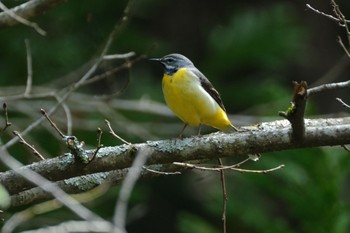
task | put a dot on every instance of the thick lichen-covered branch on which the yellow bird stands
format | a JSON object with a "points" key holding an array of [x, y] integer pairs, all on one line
{"points": [[271, 136]]}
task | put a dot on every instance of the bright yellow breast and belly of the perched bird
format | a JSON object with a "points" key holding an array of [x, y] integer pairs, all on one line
{"points": [[191, 103]]}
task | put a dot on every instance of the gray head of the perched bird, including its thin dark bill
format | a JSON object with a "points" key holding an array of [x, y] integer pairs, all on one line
{"points": [[173, 62]]}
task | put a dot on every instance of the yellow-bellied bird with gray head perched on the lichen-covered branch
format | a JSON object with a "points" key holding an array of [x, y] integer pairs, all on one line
{"points": [[191, 96]]}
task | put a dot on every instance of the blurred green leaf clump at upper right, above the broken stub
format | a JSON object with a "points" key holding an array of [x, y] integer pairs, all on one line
{"points": [[268, 38]]}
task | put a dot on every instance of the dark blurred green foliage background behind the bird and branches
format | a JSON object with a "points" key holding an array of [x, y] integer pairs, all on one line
{"points": [[251, 51]]}
